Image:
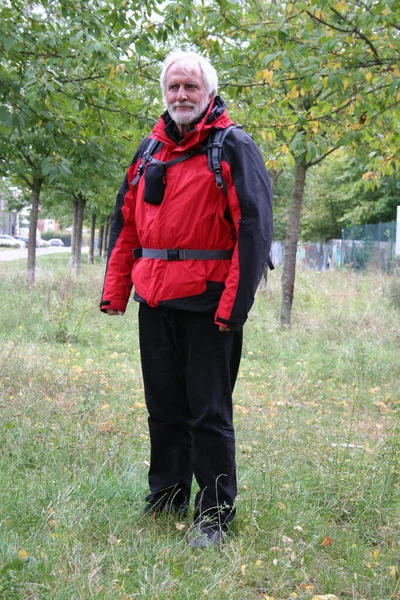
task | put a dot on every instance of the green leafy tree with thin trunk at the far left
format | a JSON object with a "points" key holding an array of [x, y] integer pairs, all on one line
{"points": [[62, 82]]}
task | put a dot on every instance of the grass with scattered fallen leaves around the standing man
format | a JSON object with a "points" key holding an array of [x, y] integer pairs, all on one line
{"points": [[318, 446]]}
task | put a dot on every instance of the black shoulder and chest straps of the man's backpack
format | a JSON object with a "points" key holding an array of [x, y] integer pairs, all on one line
{"points": [[213, 146]]}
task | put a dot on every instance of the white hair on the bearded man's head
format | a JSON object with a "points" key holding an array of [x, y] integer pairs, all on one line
{"points": [[186, 61]]}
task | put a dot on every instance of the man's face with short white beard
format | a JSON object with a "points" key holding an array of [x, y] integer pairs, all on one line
{"points": [[186, 95]]}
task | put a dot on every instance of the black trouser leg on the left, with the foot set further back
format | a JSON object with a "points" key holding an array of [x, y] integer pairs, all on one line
{"points": [[170, 473]]}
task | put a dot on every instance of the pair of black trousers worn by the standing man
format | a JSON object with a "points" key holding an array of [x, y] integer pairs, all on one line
{"points": [[189, 372]]}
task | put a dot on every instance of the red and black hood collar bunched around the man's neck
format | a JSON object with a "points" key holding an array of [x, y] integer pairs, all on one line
{"points": [[216, 115]]}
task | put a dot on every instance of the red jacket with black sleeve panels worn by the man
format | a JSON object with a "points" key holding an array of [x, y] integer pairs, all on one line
{"points": [[194, 214]]}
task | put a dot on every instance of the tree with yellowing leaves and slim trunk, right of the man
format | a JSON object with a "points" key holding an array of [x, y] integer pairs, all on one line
{"points": [[309, 77]]}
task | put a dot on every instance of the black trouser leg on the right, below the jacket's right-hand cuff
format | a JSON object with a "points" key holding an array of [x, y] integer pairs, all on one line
{"points": [[212, 363]]}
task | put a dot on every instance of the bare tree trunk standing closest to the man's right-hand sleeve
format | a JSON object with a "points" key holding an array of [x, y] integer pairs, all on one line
{"points": [[289, 265]]}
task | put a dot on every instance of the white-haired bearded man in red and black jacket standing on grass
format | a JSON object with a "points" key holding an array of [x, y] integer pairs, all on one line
{"points": [[193, 241]]}
